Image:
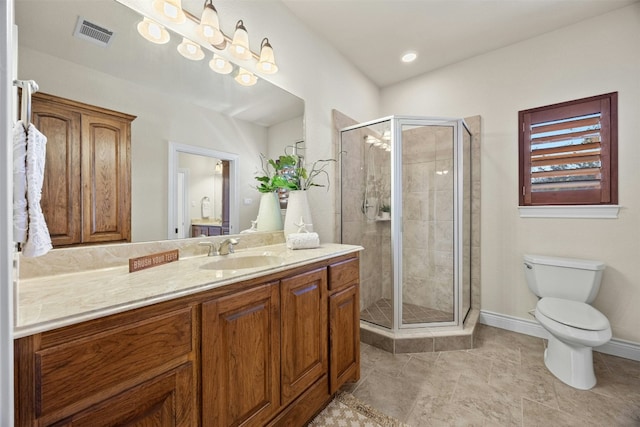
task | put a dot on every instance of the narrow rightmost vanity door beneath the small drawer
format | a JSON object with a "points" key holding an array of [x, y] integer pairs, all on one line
{"points": [[344, 326]]}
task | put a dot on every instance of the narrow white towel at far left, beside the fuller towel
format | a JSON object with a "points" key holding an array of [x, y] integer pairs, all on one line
{"points": [[20, 215]]}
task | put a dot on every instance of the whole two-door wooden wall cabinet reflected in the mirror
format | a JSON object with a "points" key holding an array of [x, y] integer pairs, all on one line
{"points": [[86, 194]]}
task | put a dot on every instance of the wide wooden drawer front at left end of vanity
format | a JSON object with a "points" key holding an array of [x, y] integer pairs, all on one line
{"points": [[75, 370]]}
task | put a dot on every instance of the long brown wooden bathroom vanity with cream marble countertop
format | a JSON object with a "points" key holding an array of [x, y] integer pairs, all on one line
{"points": [[260, 346]]}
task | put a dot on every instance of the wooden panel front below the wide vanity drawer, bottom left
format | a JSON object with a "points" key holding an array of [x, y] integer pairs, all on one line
{"points": [[162, 401]]}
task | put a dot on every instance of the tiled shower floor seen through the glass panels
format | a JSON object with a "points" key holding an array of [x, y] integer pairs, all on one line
{"points": [[381, 313]]}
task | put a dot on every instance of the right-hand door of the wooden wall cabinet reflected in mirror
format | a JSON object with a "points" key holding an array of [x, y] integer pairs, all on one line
{"points": [[105, 179]]}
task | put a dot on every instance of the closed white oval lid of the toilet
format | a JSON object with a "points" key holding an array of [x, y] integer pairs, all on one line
{"points": [[573, 313]]}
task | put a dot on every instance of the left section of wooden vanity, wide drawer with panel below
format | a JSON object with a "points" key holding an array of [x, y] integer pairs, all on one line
{"points": [[122, 369]]}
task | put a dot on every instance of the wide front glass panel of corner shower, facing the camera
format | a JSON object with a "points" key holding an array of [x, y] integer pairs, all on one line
{"points": [[427, 174]]}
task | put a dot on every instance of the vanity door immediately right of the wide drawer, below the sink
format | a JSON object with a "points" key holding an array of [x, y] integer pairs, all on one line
{"points": [[240, 357]]}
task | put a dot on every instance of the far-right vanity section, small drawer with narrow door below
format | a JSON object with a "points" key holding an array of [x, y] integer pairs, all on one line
{"points": [[344, 322]]}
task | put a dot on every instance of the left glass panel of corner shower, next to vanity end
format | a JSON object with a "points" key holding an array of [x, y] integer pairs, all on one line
{"points": [[365, 196]]}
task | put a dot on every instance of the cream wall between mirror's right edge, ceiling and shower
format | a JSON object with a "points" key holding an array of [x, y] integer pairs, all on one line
{"points": [[317, 73]]}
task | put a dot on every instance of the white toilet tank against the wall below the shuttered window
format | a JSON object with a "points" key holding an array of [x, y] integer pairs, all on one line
{"points": [[569, 278]]}
